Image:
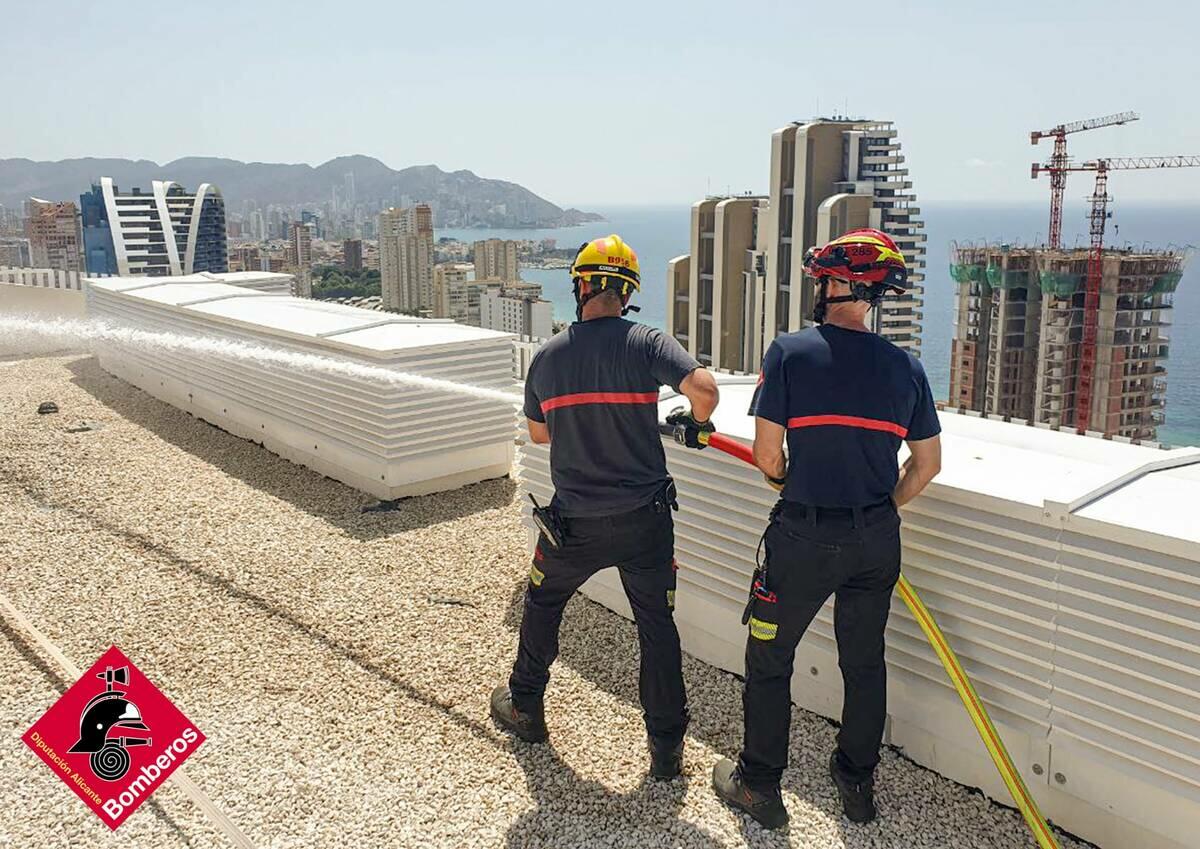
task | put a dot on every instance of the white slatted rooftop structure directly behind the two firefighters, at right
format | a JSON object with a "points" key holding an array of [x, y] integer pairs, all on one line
{"points": [[1064, 570]]}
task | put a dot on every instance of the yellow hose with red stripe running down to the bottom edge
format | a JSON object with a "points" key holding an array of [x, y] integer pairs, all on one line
{"points": [[983, 725]]}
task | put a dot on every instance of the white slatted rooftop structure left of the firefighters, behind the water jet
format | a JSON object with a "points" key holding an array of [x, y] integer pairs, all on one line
{"points": [[388, 439]]}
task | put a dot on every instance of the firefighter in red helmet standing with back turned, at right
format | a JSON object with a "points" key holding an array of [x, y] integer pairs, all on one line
{"points": [[843, 400]]}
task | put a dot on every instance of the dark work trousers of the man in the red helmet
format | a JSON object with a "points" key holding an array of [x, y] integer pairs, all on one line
{"points": [[814, 553]]}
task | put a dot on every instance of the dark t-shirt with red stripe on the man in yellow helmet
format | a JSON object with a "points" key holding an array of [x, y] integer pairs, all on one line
{"points": [[596, 387]]}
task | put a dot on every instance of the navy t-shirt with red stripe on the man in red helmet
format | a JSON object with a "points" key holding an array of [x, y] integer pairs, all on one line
{"points": [[848, 399]]}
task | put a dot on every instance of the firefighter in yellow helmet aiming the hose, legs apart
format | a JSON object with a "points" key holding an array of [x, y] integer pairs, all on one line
{"points": [[592, 395]]}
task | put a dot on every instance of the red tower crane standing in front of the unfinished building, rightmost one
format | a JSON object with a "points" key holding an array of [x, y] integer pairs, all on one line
{"points": [[1097, 220]]}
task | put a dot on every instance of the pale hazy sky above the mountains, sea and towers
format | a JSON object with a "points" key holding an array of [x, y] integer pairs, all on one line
{"points": [[607, 103]]}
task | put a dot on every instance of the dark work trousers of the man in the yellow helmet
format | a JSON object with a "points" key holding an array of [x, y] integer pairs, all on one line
{"points": [[641, 545]]}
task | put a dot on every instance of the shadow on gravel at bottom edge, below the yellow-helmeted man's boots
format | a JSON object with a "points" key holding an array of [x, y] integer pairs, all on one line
{"points": [[577, 812]]}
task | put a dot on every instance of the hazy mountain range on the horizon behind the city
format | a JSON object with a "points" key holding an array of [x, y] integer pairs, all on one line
{"points": [[459, 198]]}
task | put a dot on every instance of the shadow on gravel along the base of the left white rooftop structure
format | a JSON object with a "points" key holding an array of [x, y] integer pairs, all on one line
{"points": [[304, 489]]}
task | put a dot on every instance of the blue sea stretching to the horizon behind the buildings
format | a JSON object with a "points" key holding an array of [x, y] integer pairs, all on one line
{"points": [[661, 233]]}
